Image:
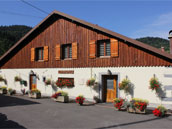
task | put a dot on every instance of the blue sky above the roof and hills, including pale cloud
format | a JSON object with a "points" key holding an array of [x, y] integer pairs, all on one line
{"points": [[132, 18]]}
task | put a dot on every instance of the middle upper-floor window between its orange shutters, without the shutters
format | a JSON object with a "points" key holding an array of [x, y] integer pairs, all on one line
{"points": [[66, 51]]}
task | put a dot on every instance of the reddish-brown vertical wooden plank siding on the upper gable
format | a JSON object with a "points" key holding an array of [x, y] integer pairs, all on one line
{"points": [[63, 31]]}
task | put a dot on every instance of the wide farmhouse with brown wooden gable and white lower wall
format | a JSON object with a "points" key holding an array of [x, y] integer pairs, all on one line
{"points": [[63, 48]]}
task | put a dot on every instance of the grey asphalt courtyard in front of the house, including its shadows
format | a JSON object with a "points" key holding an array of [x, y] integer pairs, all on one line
{"points": [[23, 112]]}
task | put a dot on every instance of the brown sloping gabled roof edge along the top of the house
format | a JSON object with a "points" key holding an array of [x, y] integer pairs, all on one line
{"points": [[95, 27]]}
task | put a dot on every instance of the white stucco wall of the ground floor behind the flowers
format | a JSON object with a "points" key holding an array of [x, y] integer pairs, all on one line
{"points": [[139, 76]]}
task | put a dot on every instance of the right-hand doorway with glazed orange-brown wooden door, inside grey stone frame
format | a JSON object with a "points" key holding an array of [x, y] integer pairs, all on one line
{"points": [[109, 88]]}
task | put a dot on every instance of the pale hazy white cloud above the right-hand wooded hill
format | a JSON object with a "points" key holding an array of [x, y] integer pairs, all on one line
{"points": [[157, 28]]}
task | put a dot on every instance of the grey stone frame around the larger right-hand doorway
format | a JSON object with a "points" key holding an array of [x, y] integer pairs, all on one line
{"points": [[101, 84]]}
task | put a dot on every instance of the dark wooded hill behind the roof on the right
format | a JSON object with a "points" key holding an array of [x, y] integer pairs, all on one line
{"points": [[156, 42]]}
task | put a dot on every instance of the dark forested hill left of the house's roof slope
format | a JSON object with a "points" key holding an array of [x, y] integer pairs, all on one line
{"points": [[9, 35]]}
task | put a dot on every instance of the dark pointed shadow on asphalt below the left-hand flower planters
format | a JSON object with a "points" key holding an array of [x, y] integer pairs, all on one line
{"points": [[14, 101]]}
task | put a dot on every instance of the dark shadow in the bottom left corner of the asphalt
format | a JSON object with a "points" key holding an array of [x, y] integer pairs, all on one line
{"points": [[5, 123]]}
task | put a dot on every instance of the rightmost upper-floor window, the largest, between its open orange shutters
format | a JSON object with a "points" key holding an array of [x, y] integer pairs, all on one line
{"points": [[103, 48]]}
